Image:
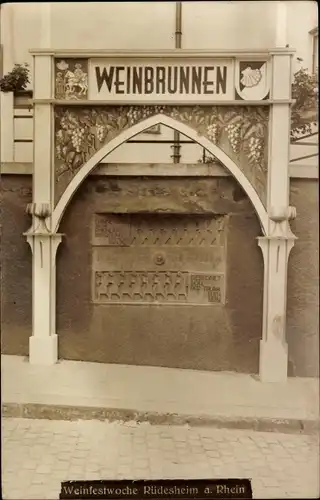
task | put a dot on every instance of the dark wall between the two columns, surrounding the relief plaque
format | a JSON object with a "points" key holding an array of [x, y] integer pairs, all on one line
{"points": [[199, 337]]}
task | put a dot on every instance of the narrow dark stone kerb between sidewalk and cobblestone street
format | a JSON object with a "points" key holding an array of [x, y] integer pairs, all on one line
{"points": [[65, 412]]}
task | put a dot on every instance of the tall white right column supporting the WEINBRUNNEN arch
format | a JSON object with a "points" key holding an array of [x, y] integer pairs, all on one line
{"points": [[279, 240]]}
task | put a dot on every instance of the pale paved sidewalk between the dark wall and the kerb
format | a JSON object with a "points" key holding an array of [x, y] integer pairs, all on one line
{"points": [[157, 391]]}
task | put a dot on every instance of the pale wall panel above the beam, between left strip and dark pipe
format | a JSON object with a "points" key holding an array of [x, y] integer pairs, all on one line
{"points": [[113, 25]]}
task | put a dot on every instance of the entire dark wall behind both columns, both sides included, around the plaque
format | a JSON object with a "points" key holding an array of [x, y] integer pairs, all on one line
{"points": [[227, 339]]}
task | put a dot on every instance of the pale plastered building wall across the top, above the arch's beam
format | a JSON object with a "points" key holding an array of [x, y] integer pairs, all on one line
{"points": [[151, 25]]}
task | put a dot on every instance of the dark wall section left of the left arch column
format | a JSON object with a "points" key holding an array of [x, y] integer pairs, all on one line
{"points": [[16, 265]]}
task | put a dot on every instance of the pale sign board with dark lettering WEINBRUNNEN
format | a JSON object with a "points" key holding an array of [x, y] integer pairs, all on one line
{"points": [[161, 80]]}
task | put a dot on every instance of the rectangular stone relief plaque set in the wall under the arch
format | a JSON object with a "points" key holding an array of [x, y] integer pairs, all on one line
{"points": [[158, 259]]}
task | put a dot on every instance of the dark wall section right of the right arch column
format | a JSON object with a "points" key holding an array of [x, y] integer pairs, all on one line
{"points": [[303, 281]]}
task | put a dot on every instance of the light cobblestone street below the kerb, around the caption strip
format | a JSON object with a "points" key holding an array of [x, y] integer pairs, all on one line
{"points": [[38, 454]]}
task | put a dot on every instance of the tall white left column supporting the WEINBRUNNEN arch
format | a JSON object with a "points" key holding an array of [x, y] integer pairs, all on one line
{"points": [[43, 343]]}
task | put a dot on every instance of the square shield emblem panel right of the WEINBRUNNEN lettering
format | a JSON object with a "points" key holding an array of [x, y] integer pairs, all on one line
{"points": [[252, 80]]}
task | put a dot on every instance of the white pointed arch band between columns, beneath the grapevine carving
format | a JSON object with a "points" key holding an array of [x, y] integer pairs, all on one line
{"points": [[138, 128]]}
